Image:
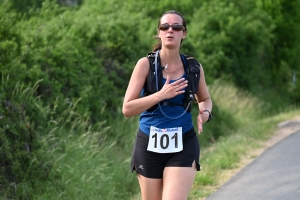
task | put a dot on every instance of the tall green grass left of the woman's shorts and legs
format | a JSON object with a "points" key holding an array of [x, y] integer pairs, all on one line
{"points": [[88, 165]]}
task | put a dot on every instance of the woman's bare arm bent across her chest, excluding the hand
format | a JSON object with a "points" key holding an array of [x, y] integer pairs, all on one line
{"points": [[134, 105]]}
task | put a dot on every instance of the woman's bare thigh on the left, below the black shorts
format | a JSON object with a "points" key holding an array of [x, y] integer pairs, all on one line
{"points": [[151, 188]]}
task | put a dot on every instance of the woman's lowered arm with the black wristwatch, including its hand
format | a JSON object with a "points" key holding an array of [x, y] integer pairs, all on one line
{"points": [[204, 102]]}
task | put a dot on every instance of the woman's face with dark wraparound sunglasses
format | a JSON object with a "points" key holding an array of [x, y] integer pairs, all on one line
{"points": [[171, 37]]}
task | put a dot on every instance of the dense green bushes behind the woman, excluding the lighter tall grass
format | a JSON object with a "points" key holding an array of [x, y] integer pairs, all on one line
{"points": [[83, 51]]}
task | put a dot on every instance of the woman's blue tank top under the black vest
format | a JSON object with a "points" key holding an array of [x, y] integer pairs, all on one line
{"points": [[157, 119]]}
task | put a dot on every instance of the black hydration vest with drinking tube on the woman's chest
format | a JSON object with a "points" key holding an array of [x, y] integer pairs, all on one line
{"points": [[192, 69]]}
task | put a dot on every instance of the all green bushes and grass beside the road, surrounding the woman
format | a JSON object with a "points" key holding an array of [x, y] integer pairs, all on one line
{"points": [[65, 65]]}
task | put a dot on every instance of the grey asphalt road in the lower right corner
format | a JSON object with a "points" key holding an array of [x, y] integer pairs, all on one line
{"points": [[274, 175]]}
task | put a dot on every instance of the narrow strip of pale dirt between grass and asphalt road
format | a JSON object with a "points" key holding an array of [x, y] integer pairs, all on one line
{"points": [[285, 129]]}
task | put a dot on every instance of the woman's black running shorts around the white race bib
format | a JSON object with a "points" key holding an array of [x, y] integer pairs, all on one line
{"points": [[151, 165]]}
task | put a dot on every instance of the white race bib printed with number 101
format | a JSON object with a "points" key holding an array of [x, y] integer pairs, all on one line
{"points": [[168, 140]]}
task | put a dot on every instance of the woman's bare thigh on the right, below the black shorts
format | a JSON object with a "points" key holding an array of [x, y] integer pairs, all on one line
{"points": [[178, 182]]}
